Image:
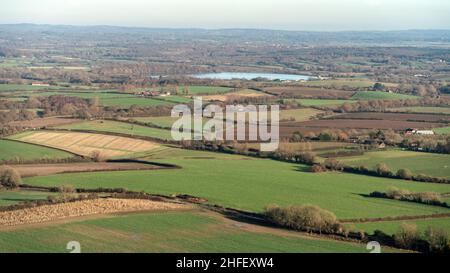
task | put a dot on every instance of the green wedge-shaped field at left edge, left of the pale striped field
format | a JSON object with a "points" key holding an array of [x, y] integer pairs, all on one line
{"points": [[10, 150]]}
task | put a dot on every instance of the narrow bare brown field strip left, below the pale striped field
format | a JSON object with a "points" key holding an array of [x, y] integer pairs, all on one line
{"points": [[30, 170]]}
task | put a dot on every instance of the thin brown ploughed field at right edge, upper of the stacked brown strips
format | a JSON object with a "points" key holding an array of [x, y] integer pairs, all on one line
{"points": [[395, 116]]}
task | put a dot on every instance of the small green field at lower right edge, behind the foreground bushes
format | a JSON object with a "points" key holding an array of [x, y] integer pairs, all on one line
{"points": [[391, 227]]}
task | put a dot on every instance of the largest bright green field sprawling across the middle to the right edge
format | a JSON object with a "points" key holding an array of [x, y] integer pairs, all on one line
{"points": [[252, 184]]}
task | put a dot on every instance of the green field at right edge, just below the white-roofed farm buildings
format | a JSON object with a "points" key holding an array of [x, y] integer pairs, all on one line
{"points": [[419, 163]]}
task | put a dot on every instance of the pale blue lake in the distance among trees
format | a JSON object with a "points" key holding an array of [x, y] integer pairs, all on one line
{"points": [[251, 76]]}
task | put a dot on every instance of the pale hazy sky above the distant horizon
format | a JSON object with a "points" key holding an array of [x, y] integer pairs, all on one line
{"points": [[274, 14]]}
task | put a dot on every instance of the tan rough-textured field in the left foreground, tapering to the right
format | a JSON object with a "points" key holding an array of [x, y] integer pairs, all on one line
{"points": [[81, 208]]}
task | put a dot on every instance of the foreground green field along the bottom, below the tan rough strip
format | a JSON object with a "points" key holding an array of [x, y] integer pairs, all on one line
{"points": [[164, 232]]}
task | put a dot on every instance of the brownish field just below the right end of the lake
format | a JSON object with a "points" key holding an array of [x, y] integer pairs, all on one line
{"points": [[310, 92]]}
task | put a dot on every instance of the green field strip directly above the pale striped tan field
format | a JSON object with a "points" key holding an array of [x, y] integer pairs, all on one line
{"points": [[120, 127]]}
